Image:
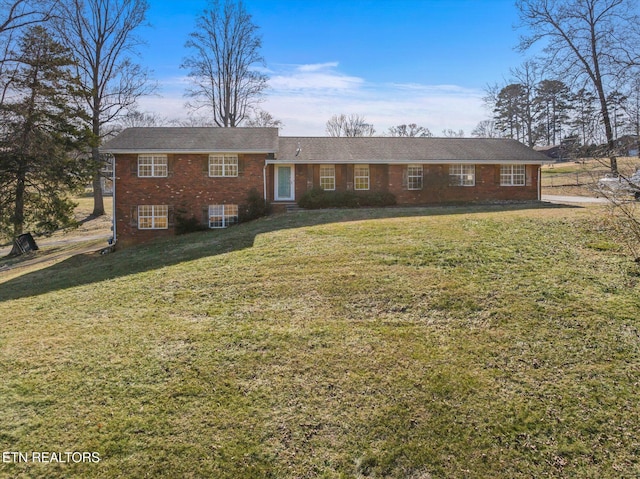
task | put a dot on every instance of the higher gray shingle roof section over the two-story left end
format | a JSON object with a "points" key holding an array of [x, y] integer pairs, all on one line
{"points": [[193, 140]]}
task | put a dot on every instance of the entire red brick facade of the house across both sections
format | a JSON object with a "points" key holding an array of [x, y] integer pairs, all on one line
{"points": [[187, 190]]}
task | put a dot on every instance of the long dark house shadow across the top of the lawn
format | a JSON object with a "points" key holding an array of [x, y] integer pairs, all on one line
{"points": [[93, 268]]}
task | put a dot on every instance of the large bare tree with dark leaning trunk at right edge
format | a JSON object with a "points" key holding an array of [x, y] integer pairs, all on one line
{"points": [[593, 40]]}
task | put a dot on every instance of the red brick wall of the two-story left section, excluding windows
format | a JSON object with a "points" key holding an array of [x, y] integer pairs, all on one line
{"points": [[187, 190]]}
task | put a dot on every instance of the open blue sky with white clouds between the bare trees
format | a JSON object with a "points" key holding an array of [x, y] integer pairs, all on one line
{"points": [[391, 61]]}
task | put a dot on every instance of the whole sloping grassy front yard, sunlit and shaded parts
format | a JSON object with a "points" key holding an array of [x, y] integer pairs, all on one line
{"points": [[477, 342]]}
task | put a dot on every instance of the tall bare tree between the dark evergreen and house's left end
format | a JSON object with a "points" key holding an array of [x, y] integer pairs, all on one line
{"points": [[101, 35]]}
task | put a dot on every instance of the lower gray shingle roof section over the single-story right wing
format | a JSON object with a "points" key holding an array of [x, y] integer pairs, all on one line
{"points": [[404, 150]]}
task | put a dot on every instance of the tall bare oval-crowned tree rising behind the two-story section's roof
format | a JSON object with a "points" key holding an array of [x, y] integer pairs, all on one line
{"points": [[222, 68]]}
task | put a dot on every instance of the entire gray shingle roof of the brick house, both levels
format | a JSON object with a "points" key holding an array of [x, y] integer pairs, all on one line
{"points": [[321, 149]]}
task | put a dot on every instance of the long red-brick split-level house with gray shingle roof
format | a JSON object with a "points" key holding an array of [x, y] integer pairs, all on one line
{"points": [[207, 173]]}
